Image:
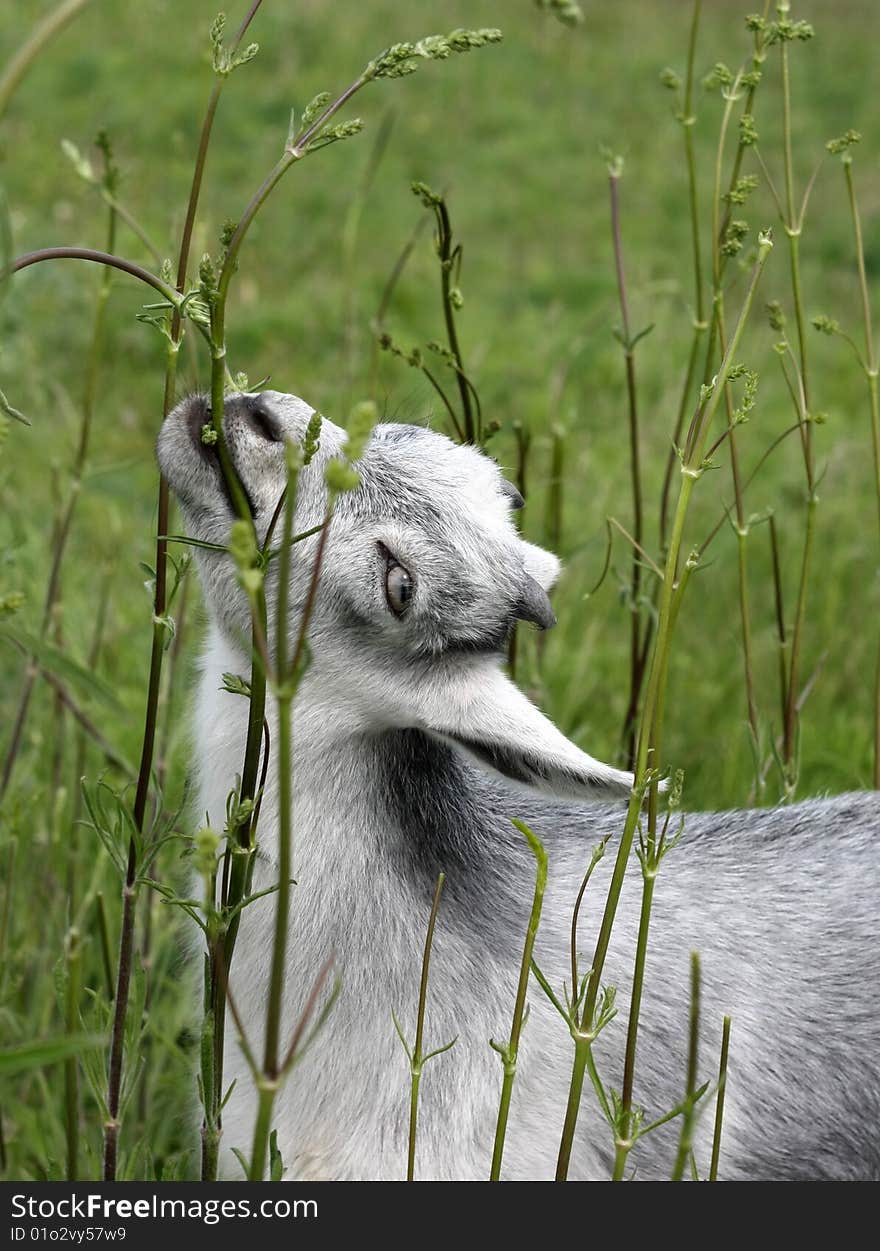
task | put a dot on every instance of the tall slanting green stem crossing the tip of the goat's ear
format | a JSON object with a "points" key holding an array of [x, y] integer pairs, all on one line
{"points": [[653, 709]]}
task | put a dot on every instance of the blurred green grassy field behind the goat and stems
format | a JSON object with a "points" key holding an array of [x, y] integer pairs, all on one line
{"points": [[515, 136]]}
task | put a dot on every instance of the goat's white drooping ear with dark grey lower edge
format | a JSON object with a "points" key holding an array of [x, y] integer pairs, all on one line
{"points": [[485, 715]]}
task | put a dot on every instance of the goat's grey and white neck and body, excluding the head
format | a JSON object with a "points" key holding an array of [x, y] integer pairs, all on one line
{"points": [[782, 905]]}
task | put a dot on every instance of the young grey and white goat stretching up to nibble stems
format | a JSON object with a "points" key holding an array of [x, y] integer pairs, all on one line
{"points": [[412, 751]]}
